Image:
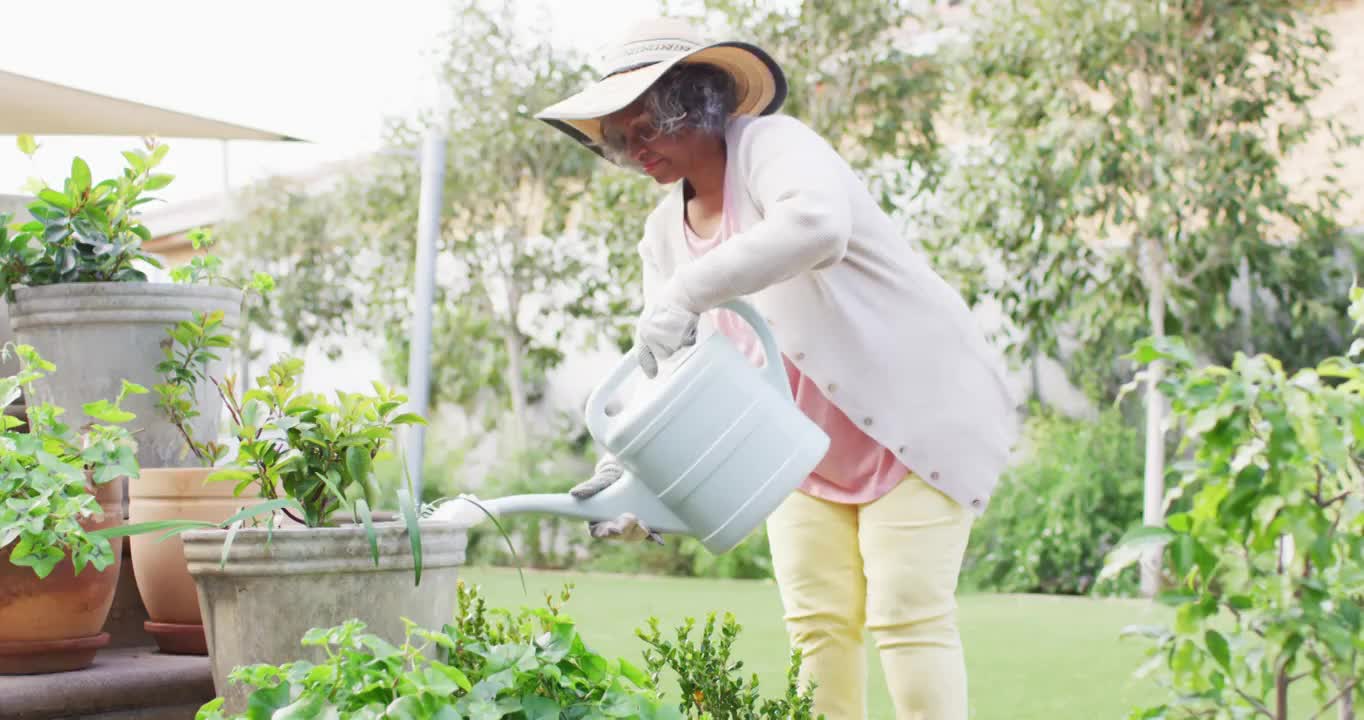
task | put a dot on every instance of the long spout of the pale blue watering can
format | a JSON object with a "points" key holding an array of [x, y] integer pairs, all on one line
{"points": [[625, 496]]}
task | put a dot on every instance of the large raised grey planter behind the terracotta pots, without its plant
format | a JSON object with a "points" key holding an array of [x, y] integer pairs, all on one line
{"points": [[103, 333]]}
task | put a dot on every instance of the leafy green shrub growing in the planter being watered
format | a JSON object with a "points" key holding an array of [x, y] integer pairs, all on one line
{"points": [[302, 447]]}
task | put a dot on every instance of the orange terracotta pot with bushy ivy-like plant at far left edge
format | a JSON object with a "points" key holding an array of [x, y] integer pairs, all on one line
{"points": [[59, 562]]}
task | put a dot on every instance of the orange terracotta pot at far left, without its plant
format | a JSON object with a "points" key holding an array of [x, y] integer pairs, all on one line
{"points": [[54, 625]]}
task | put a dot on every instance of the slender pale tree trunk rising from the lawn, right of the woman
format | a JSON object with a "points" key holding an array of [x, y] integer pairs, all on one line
{"points": [[1155, 487]]}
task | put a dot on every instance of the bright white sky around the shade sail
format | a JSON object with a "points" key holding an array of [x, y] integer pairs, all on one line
{"points": [[324, 70]]}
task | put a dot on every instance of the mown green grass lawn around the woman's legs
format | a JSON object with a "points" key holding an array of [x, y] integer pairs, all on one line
{"points": [[1029, 658]]}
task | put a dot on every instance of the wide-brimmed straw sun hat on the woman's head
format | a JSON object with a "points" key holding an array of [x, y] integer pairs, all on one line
{"points": [[647, 51]]}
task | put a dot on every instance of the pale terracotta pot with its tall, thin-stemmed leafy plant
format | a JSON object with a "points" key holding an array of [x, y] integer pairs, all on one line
{"points": [[190, 354]]}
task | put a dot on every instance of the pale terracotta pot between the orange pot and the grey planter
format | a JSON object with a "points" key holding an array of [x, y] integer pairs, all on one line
{"points": [[159, 567]]}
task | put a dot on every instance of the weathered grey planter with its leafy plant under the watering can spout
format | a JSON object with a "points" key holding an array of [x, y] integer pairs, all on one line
{"points": [[321, 557]]}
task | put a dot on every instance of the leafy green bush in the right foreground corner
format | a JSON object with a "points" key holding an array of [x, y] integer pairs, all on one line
{"points": [[1268, 561]]}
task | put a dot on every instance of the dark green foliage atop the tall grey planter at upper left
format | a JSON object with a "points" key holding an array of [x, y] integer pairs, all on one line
{"points": [[85, 231]]}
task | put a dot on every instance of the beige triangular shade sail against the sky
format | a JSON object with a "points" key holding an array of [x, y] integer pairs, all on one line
{"points": [[36, 107]]}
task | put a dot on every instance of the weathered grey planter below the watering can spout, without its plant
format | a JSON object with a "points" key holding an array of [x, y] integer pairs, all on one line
{"points": [[276, 587]]}
